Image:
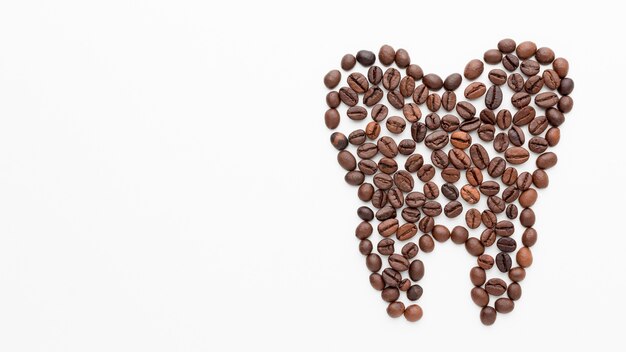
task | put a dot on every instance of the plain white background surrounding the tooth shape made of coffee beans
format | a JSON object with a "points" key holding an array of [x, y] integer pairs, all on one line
{"points": [[167, 184]]}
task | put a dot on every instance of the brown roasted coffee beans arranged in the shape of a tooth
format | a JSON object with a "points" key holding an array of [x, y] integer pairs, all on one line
{"points": [[456, 133]]}
